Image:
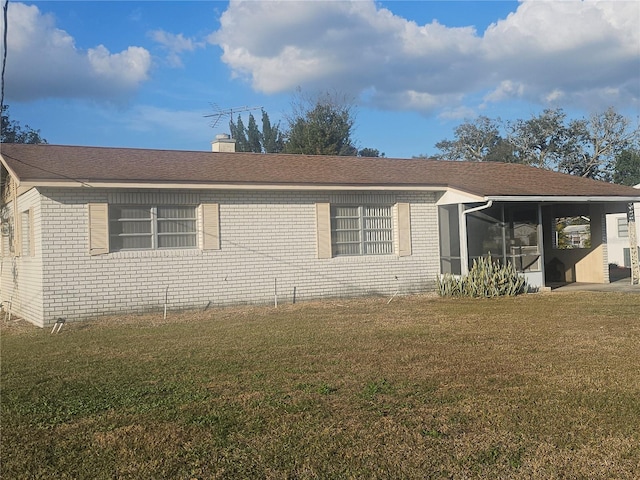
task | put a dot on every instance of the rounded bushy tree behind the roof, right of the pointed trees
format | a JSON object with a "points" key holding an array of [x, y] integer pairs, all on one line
{"points": [[321, 126]]}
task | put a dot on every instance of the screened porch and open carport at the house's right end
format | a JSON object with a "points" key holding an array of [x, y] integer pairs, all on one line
{"points": [[552, 242]]}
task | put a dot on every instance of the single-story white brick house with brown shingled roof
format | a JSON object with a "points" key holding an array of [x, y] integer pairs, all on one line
{"points": [[88, 231]]}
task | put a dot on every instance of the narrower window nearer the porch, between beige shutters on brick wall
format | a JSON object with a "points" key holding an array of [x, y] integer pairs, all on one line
{"points": [[361, 230]]}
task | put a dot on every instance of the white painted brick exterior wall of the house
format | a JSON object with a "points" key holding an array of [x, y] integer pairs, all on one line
{"points": [[265, 237]]}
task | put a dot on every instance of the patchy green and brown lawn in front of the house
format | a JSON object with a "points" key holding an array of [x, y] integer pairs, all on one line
{"points": [[536, 386]]}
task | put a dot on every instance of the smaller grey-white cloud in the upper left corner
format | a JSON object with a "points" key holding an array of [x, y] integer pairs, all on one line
{"points": [[43, 61]]}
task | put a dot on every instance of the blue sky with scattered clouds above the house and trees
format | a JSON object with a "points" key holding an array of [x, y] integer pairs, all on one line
{"points": [[145, 74]]}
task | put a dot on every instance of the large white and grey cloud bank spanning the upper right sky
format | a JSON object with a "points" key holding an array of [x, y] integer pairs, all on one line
{"points": [[578, 51]]}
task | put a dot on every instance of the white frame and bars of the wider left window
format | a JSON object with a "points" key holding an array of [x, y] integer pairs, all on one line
{"points": [[154, 234]]}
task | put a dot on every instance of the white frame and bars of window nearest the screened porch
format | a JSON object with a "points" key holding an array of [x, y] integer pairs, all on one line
{"points": [[368, 239]]}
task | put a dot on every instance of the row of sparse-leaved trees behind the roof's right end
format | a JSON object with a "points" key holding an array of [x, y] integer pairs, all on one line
{"points": [[587, 147]]}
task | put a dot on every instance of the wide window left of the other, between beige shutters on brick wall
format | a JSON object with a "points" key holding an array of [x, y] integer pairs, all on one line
{"points": [[152, 227]]}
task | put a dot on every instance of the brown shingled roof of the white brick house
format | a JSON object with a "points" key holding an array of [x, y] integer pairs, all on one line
{"points": [[45, 164]]}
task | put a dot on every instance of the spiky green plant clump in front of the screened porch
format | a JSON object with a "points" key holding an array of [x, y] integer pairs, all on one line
{"points": [[485, 279]]}
